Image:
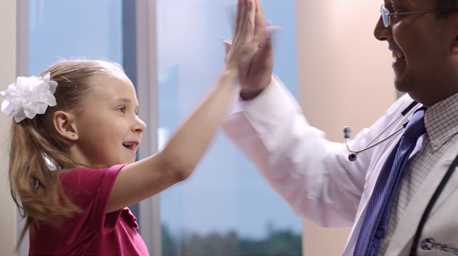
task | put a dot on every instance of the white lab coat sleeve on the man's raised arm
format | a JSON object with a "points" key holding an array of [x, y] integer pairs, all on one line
{"points": [[310, 172]]}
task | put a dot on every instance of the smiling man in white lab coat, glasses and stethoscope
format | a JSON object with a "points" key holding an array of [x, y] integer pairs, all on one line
{"points": [[316, 176]]}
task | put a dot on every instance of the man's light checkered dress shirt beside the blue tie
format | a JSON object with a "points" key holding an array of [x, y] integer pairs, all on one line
{"points": [[441, 122]]}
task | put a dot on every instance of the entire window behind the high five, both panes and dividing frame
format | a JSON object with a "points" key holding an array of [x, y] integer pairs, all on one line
{"points": [[225, 207]]}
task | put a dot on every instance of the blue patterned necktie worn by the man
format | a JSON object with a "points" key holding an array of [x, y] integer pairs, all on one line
{"points": [[378, 209]]}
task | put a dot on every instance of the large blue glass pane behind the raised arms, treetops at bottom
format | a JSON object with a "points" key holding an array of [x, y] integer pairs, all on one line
{"points": [[226, 207]]}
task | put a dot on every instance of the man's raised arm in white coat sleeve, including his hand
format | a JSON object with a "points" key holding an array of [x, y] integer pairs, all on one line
{"points": [[294, 157]]}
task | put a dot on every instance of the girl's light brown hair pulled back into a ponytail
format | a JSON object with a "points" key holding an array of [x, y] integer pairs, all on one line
{"points": [[38, 153]]}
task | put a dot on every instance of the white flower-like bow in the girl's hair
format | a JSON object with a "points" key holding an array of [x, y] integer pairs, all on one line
{"points": [[29, 96]]}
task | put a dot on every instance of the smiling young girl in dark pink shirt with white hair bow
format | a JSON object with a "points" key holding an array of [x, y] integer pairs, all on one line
{"points": [[74, 140]]}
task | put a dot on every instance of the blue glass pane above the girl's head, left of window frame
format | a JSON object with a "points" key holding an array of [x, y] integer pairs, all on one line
{"points": [[89, 29]]}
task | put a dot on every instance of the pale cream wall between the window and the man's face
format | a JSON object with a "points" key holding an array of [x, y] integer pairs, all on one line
{"points": [[345, 78]]}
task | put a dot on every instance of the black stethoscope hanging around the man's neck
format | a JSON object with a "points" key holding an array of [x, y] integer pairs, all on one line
{"points": [[353, 155]]}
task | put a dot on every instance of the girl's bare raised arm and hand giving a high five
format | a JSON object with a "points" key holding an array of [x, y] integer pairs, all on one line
{"points": [[145, 178]]}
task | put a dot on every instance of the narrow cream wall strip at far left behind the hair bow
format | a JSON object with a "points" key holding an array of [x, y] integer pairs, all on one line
{"points": [[7, 76]]}
